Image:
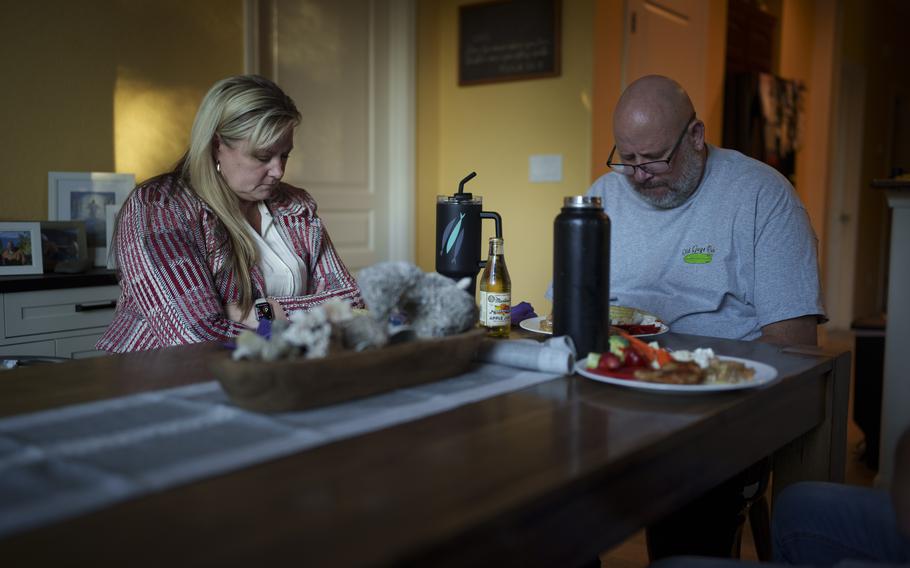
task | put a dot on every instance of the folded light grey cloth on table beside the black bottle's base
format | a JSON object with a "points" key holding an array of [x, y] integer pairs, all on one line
{"points": [[555, 355]]}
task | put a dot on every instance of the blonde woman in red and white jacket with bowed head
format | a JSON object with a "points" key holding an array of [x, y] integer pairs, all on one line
{"points": [[206, 250]]}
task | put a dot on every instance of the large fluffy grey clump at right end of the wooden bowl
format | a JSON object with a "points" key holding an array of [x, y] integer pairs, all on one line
{"points": [[434, 305]]}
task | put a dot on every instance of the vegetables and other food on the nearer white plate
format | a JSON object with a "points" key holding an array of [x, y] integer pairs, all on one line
{"points": [[633, 359]]}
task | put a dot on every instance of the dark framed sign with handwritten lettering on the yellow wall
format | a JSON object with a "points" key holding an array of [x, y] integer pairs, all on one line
{"points": [[508, 40]]}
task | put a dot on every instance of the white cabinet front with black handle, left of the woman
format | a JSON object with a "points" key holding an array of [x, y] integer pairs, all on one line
{"points": [[62, 322]]}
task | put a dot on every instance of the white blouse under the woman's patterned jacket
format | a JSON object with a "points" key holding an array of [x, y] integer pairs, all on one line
{"points": [[285, 273]]}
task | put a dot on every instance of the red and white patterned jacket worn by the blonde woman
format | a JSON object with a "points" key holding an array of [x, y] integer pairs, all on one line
{"points": [[171, 255]]}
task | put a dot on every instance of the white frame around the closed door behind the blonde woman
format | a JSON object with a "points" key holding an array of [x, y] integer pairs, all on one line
{"points": [[398, 82]]}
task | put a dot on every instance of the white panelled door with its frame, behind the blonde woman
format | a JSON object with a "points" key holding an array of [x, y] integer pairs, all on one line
{"points": [[349, 66]]}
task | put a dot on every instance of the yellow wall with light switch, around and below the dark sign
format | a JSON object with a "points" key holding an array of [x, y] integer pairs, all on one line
{"points": [[493, 129]]}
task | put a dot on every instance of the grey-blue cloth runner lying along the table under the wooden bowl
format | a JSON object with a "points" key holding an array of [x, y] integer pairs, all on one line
{"points": [[68, 461]]}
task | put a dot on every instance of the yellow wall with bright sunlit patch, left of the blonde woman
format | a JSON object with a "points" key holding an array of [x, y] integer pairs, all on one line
{"points": [[105, 86]]}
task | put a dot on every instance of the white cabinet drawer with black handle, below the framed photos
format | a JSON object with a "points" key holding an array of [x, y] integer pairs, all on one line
{"points": [[47, 311]]}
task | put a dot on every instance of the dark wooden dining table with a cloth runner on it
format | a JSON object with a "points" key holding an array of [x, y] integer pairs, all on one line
{"points": [[548, 475]]}
